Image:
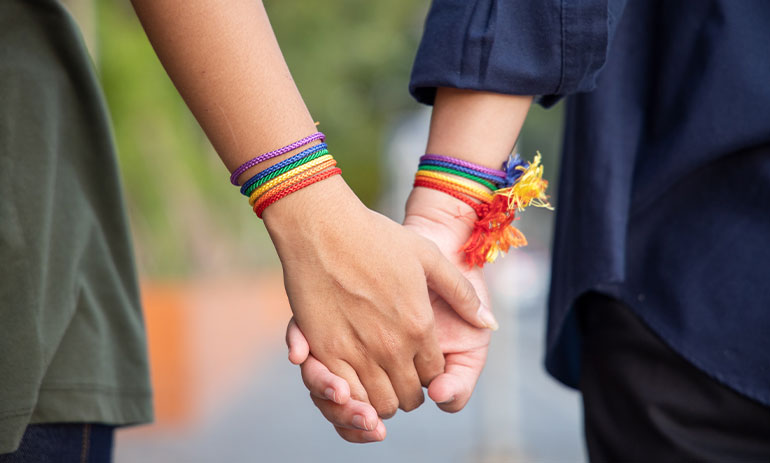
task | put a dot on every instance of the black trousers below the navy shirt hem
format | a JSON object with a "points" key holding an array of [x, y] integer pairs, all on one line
{"points": [[643, 402]]}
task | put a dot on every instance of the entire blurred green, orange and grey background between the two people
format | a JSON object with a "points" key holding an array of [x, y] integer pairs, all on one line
{"points": [[211, 282]]}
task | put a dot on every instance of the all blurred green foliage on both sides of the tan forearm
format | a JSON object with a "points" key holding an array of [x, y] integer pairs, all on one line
{"points": [[351, 61]]}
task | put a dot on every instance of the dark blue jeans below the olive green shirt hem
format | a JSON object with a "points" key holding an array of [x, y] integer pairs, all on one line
{"points": [[64, 443]]}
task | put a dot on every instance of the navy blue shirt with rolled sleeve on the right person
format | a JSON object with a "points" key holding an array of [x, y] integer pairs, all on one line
{"points": [[664, 195]]}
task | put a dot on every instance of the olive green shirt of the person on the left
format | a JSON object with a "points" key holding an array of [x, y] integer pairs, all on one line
{"points": [[72, 342]]}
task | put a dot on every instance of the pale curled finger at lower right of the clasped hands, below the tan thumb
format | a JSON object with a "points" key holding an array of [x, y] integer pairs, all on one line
{"points": [[452, 390]]}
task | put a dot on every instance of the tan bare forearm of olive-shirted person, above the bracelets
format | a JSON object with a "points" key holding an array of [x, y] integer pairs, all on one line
{"points": [[225, 61]]}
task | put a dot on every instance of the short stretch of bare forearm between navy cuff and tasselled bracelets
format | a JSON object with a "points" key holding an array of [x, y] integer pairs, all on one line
{"points": [[480, 127]]}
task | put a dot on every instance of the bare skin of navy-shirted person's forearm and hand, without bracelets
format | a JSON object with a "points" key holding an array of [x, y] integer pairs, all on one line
{"points": [[480, 127]]}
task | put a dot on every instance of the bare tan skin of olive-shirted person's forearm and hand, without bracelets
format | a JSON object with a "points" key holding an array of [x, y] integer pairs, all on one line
{"points": [[368, 320]]}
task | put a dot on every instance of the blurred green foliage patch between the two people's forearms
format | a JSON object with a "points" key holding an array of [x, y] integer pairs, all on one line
{"points": [[351, 59]]}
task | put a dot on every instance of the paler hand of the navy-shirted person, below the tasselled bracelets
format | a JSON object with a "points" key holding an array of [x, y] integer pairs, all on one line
{"points": [[435, 216]]}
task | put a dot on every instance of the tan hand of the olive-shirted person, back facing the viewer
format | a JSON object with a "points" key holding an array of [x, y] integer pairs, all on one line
{"points": [[358, 286]]}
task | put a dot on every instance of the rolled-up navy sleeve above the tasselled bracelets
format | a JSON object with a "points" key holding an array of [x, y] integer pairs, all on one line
{"points": [[547, 48]]}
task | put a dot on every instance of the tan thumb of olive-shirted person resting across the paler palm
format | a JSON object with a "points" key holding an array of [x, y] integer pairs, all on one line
{"points": [[449, 283]]}
